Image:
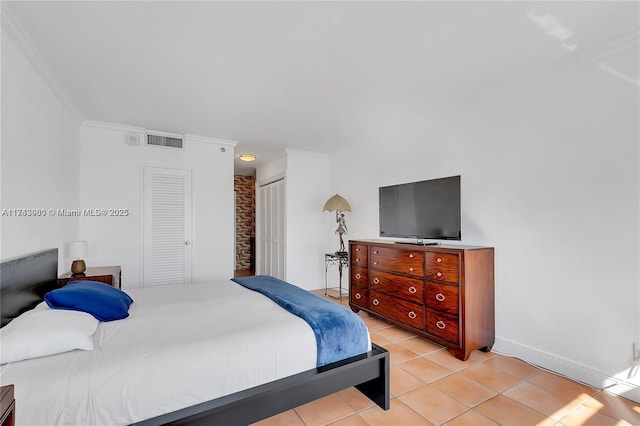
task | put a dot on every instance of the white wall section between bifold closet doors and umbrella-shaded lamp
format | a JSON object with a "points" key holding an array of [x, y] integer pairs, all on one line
{"points": [[308, 229]]}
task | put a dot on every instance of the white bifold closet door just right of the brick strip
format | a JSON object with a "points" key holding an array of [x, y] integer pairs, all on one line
{"points": [[270, 227]]}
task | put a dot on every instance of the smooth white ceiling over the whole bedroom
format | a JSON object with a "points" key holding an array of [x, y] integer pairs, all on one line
{"points": [[276, 75]]}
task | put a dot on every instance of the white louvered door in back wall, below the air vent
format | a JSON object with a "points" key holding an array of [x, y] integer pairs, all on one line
{"points": [[167, 226]]}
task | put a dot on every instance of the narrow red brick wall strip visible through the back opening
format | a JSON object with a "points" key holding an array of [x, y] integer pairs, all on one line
{"points": [[245, 188]]}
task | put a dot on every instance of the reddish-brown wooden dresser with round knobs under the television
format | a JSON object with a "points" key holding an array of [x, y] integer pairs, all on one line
{"points": [[443, 293]]}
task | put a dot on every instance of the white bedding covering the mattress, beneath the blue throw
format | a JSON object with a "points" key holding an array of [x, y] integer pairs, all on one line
{"points": [[181, 345]]}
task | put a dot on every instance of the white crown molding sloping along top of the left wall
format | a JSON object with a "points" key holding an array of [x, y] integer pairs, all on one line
{"points": [[18, 34]]}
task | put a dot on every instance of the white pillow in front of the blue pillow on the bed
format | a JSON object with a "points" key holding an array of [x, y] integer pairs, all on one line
{"points": [[44, 331]]}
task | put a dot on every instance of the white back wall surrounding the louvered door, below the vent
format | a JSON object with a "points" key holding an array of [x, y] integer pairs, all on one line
{"points": [[111, 177]]}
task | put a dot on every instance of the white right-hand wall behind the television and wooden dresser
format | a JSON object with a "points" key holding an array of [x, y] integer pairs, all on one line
{"points": [[550, 178]]}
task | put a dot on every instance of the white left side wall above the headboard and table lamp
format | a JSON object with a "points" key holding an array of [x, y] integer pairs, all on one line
{"points": [[40, 143]]}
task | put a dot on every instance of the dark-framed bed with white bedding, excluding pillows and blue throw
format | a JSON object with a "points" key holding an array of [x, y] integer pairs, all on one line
{"points": [[162, 365]]}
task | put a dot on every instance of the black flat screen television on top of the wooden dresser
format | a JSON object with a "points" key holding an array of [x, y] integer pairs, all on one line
{"points": [[429, 209]]}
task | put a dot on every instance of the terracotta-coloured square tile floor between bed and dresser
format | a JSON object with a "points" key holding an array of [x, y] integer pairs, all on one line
{"points": [[431, 387]]}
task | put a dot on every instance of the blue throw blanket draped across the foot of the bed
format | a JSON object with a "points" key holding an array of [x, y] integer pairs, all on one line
{"points": [[339, 332]]}
